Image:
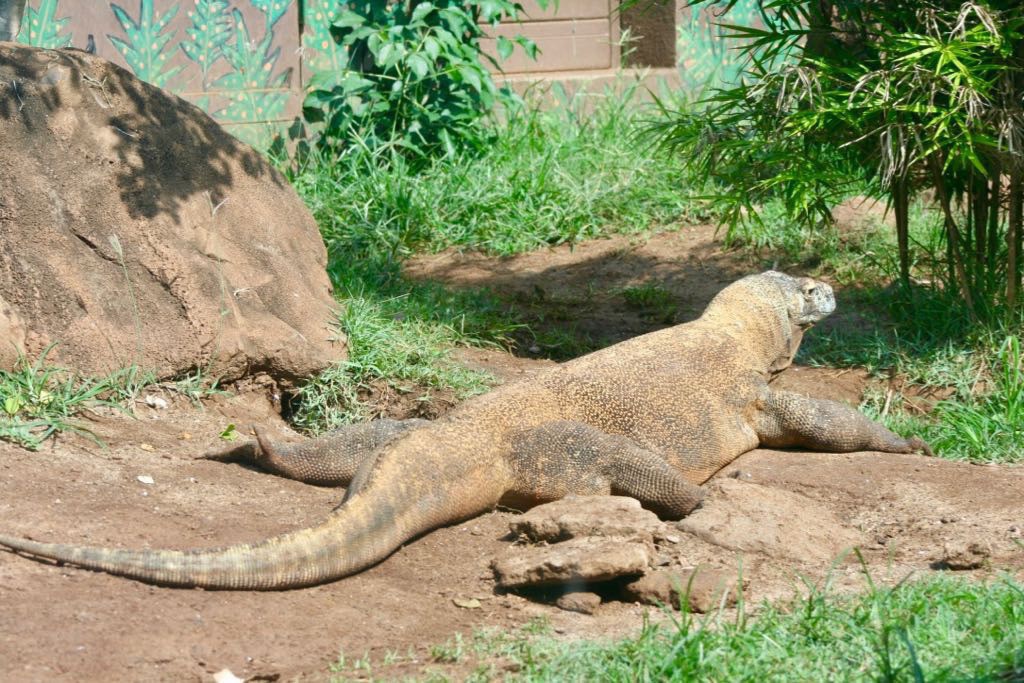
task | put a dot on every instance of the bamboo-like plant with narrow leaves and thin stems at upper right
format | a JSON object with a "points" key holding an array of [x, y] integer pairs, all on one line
{"points": [[906, 98]]}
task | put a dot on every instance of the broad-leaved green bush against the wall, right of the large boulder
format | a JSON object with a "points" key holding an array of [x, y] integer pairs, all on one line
{"points": [[415, 78]]}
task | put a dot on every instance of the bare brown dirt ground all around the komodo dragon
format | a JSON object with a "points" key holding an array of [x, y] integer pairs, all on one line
{"points": [[913, 516]]}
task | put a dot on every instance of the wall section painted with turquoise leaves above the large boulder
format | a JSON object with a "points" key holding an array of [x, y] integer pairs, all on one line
{"points": [[241, 61]]}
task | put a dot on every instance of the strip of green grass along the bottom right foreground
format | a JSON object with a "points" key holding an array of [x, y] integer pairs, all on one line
{"points": [[938, 629]]}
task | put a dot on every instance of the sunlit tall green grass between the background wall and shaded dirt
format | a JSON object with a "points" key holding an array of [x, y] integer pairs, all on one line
{"points": [[573, 173]]}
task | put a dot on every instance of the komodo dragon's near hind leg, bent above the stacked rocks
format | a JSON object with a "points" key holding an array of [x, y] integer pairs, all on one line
{"points": [[571, 458]]}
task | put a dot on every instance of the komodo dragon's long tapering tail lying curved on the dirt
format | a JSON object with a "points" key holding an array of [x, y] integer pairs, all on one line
{"points": [[400, 501]]}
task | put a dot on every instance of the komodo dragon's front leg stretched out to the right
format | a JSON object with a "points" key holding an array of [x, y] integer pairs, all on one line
{"points": [[787, 419]]}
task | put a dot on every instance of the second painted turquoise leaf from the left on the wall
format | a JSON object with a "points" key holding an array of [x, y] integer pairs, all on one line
{"points": [[146, 48]]}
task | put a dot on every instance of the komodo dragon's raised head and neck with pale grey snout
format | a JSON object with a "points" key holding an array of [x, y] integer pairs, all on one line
{"points": [[770, 313]]}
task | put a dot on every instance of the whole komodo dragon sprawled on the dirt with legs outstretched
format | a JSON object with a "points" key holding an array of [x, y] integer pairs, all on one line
{"points": [[652, 418]]}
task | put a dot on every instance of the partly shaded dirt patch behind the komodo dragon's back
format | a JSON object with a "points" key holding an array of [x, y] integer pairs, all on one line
{"points": [[577, 301]]}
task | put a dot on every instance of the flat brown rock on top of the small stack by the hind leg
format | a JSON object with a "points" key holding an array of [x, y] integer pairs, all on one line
{"points": [[577, 517]]}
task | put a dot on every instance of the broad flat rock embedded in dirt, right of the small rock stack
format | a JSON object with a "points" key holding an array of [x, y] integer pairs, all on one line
{"points": [[745, 517]]}
